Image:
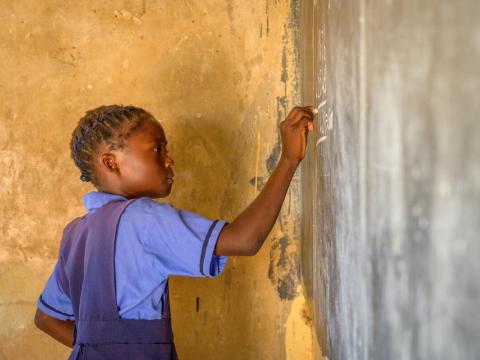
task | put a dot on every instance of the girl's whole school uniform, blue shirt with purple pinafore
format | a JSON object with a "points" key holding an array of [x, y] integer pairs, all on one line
{"points": [[113, 269]]}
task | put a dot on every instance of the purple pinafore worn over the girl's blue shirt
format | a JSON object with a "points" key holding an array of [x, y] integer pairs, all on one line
{"points": [[87, 275]]}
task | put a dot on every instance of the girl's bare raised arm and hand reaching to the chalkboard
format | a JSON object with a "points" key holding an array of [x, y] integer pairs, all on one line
{"points": [[246, 234]]}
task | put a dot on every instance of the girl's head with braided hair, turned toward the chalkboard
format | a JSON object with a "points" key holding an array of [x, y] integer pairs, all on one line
{"points": [[123, 150]]}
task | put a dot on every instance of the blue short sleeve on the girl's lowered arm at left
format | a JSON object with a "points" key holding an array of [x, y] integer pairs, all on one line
{"points": [[53, 301]]}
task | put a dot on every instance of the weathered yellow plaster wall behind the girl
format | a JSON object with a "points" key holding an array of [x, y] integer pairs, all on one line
{"points": [[219, 75]]}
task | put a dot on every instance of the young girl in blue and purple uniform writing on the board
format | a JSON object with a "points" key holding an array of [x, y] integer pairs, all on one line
{"points": [[107, 296]]}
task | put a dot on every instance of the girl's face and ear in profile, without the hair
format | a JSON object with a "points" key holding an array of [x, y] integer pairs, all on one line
{"points": [[143, 166]]}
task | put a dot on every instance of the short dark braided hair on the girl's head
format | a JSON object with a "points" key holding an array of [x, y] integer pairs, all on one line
{"points": [[112, 124]]}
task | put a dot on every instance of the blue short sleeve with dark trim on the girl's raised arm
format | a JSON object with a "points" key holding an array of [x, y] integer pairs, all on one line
{"points": [[181, 241]]}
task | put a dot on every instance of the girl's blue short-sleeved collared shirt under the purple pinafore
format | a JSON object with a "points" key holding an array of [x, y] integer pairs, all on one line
{"points": [[154, 240]]}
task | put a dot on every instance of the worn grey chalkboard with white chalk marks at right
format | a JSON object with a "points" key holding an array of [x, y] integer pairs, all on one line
{"points": [[391, 180]]}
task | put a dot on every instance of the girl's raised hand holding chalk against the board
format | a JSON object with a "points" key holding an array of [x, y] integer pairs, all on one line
{"points": [[294, 132]]}
